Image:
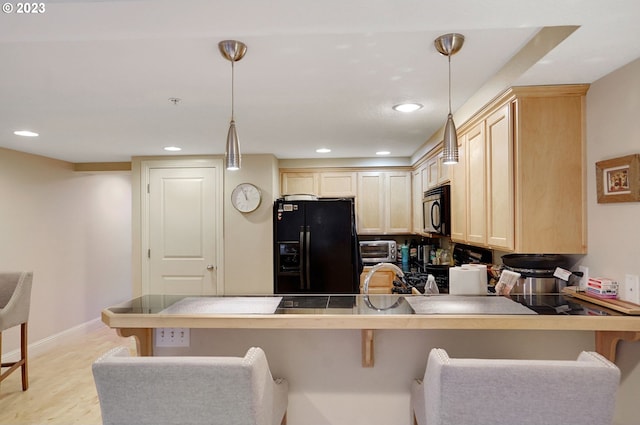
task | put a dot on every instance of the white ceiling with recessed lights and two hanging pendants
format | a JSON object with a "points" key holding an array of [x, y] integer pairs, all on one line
{"points": [[94, 78]]}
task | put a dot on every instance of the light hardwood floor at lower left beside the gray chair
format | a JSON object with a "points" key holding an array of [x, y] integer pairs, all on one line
{"points": [[61, 388]]}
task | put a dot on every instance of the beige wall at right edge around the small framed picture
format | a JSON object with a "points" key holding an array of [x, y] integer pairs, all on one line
{"points": [[613, 130]]}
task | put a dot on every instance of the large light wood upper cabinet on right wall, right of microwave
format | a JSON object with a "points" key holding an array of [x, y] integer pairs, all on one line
{"points": [[520, 183]]}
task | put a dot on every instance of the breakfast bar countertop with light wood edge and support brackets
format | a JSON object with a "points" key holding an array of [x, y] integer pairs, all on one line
{"points": [[368, 313]]}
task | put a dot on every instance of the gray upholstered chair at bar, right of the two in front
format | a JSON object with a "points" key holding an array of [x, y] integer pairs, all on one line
{"points": [[515, 392]]}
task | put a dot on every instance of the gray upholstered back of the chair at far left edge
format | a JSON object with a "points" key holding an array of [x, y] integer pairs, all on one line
{"points": [[15, 298]]}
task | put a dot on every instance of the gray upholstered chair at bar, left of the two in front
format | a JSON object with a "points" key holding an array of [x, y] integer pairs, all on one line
{"points": [[189, 390]]}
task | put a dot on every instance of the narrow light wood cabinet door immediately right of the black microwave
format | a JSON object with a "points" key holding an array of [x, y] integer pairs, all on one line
{"points": [[459, 194]]}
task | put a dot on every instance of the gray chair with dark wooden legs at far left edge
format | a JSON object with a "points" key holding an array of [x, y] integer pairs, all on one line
{"points": [[15, 298]]}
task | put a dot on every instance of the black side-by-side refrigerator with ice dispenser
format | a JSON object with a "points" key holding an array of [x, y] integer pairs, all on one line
{"points": [[316, 248]]}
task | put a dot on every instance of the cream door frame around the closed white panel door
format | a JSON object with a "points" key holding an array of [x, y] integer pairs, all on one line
{"points": [[140, 224]]}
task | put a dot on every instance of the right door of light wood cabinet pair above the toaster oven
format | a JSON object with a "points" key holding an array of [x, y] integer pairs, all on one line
{"points": [[398, 202]]}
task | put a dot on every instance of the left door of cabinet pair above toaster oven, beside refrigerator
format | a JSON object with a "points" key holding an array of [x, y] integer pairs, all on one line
{"points": [[370, 203]]}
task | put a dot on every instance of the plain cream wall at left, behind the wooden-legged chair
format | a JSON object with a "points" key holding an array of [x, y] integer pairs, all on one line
{"points": [[73, 231]]}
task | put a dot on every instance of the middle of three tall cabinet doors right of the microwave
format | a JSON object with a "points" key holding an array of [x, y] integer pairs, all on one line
{"points": [[476, 188]]}
